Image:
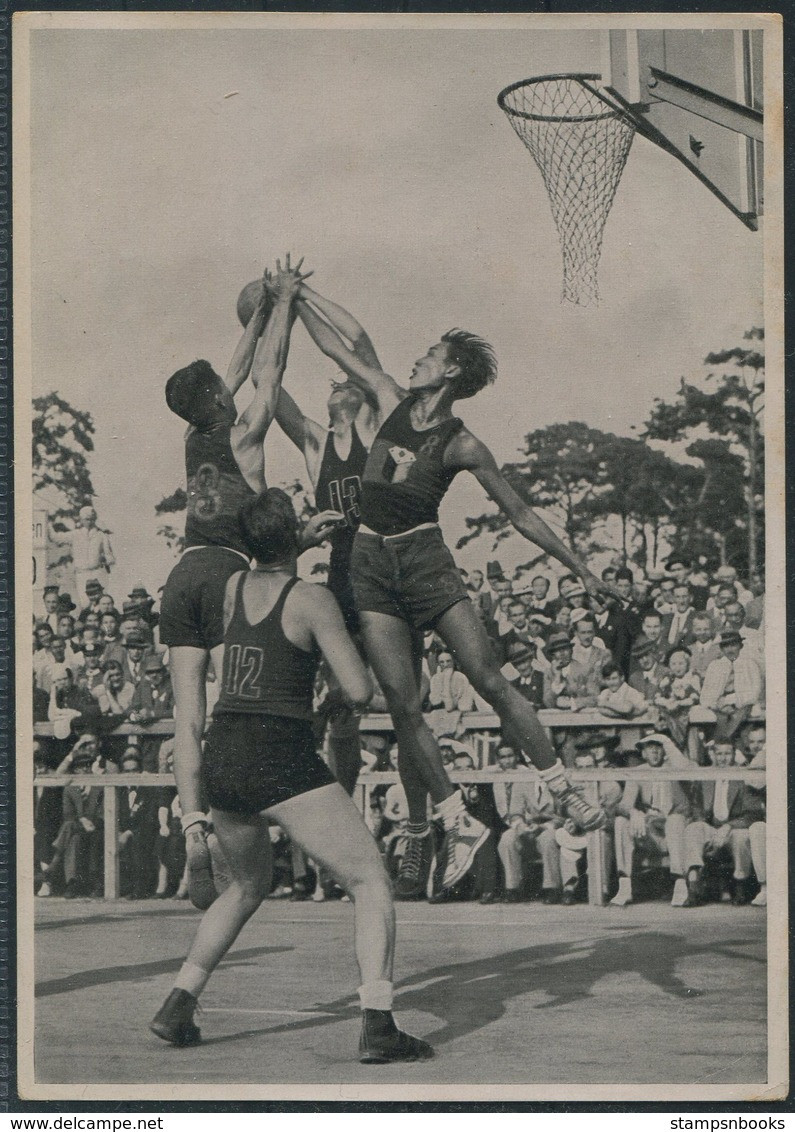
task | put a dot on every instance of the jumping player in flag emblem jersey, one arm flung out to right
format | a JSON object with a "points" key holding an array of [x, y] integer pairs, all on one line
{"points": [[405, 577]]}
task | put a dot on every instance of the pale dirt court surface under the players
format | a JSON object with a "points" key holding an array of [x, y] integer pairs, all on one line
{"points": [[506, 993]]}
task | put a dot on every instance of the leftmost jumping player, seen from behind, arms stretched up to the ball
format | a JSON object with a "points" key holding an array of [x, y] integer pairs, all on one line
{"points": [[225, 467]]}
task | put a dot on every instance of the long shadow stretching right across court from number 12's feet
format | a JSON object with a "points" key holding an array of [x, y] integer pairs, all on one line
{"points": [[473, 996]]}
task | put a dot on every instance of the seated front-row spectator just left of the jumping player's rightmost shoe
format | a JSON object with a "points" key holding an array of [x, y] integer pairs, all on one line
{"points": [[528, 812]]}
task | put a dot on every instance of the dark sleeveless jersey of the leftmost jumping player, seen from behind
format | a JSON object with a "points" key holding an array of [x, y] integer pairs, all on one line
{"points": [[217, 491]]}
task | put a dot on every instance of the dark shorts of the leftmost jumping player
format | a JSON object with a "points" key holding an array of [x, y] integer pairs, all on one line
{"points": [[192, 608]]}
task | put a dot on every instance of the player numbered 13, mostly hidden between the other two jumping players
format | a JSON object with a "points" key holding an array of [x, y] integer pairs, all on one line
{"points": [[336, 459]]}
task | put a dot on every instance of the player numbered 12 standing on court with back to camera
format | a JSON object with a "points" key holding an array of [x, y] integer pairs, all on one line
{"points": [[261, 764]]}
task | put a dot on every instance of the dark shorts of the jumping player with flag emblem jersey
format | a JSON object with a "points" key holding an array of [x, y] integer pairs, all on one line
{"points": [[411, 577]]}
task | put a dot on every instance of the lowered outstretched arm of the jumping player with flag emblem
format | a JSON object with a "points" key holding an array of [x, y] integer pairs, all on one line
{"points": [[467, 452]]}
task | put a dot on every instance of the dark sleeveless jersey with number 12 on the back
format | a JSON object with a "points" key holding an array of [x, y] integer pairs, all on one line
{"points": [[263, 672]]}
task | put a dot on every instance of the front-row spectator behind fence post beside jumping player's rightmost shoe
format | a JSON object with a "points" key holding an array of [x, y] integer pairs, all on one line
{"points": [[592, 752]]}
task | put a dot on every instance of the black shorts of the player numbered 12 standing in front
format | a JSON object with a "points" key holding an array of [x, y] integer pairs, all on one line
{"points": [[253, 762]]}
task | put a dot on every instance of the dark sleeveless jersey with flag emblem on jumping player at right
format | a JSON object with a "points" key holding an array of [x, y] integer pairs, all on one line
{"points": [[405, 476]]}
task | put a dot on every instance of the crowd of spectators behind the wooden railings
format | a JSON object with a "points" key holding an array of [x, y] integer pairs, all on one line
{"points": [[682, 655]]}
